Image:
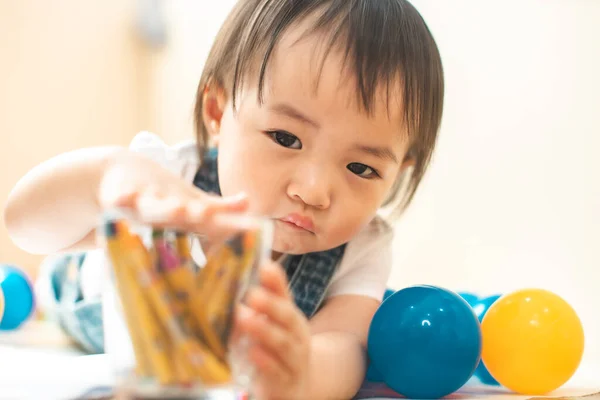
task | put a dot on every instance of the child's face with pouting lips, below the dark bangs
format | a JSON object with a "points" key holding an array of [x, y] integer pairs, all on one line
{"points": [[309, 158]]}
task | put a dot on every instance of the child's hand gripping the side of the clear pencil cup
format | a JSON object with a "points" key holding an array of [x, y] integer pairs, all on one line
{"points": [[280, 338]]}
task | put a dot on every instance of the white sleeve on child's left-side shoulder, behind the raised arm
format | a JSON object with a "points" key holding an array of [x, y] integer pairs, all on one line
{"points": [[181, 158]]}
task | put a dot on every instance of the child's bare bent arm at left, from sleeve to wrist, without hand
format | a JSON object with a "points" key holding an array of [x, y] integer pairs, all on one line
{"points": [[54, 206]]}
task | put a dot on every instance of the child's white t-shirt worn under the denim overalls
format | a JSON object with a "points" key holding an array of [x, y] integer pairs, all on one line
{"points": [[365, 266]]}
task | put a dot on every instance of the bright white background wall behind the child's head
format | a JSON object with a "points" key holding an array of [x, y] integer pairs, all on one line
{"points": [[512, 198]]}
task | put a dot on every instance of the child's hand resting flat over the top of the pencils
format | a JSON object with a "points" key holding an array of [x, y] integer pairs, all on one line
{"points": [[154, 195]]}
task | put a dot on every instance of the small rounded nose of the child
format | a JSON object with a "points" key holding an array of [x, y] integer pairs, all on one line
{"points": [[310, 185]]}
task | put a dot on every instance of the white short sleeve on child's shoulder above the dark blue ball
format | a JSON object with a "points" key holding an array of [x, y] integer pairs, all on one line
{"points": [[367, 262]]}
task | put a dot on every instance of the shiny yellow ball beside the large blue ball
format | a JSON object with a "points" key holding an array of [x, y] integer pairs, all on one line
{"points": [[532, 341]]}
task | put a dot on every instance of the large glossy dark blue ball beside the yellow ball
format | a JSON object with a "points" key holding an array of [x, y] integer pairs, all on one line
{"points": [[425, 341]]}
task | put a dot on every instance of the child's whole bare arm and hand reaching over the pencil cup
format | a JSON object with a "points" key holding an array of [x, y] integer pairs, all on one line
{"points": [[57, 205]]}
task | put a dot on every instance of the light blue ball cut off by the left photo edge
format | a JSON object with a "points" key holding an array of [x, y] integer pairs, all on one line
{"points": [[18, 297]]}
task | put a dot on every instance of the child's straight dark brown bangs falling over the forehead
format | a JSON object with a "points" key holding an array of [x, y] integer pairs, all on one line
{"points": [[385, 46]]}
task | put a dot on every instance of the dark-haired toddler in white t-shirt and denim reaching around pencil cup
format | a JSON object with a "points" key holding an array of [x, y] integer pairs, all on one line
{"points": [[323, 113]]}
